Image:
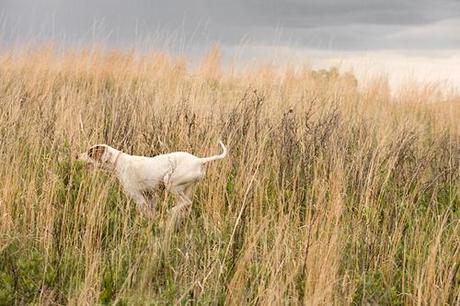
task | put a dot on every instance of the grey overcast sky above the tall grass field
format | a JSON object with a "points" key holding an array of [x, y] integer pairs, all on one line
{"points": [[324, 28]]}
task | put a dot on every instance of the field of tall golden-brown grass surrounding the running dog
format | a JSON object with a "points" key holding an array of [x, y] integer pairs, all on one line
{"points": [[334, 192]]}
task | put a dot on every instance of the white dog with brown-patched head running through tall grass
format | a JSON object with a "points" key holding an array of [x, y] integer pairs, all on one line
{"points": [[141, 177]]}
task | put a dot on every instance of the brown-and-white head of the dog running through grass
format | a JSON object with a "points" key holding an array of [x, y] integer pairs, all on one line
{"points": [[101, 156]]}
